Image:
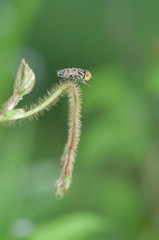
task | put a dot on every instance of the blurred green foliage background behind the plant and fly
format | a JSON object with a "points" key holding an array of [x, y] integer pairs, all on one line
{"points": [[115, 189]]}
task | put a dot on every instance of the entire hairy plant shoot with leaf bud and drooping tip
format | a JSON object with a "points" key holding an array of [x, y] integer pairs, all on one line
{"points": [[10, 115]]}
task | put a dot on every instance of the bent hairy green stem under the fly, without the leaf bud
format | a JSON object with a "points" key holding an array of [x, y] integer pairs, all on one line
{"points": [[7, 117]]}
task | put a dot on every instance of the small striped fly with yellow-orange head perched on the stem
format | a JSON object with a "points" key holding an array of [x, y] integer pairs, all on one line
{"points": [[76, 74]]}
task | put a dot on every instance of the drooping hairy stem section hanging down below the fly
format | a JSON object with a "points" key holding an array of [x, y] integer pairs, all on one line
{"points": [[63, 183]]}
